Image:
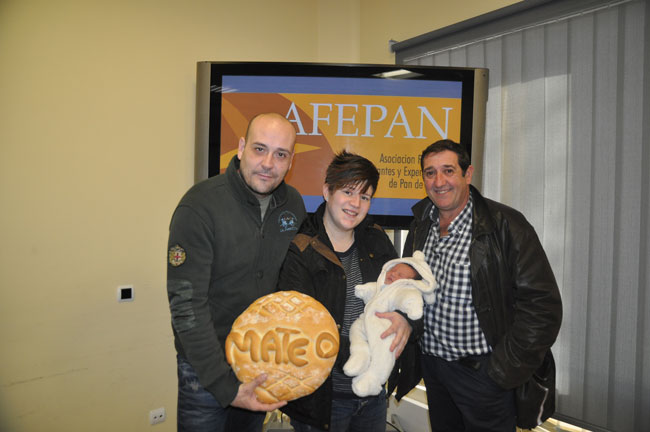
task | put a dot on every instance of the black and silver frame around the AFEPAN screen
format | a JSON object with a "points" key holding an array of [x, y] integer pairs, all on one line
{"points": [[209, 85]]}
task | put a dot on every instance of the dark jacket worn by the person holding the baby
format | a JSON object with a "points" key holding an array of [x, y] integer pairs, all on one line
{"points": [[312, 267]]}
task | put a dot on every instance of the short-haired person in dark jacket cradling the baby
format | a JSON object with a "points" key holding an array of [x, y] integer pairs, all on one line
{"points": [[336, 249]]}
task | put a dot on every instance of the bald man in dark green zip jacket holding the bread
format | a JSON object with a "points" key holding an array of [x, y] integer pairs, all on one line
{"points": [[228, 238]]}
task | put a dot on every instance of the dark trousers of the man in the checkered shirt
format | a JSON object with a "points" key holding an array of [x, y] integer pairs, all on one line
{"points": [[462, 397]]}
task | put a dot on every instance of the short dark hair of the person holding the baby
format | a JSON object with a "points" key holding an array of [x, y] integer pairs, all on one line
{"points": [[349, 169]]}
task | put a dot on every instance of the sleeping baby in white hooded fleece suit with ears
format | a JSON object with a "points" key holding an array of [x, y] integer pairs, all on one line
{"points": [[404, 284]]}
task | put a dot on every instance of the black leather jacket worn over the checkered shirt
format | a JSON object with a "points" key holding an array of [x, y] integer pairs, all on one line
{"points": [[513, 288]]}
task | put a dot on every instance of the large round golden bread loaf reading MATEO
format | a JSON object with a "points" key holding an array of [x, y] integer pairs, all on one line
{"points": [[289, 336]]}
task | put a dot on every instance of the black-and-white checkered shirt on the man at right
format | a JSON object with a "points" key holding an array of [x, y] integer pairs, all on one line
{"points": [[451, 327]]}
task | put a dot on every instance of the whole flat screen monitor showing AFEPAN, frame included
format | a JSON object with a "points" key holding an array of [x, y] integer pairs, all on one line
{"points": [[386, 113]]}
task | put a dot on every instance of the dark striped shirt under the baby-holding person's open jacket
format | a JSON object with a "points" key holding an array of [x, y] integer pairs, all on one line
{"points": [[342, 383]]}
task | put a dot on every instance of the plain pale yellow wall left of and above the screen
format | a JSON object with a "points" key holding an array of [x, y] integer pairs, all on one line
{"points": [[96, 138]]}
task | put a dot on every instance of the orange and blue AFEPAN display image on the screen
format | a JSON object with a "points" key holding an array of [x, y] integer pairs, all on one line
{"points": [[389, 122]]}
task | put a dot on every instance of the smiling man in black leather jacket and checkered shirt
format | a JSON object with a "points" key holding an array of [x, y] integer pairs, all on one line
{"points": [[486, 359]]}
